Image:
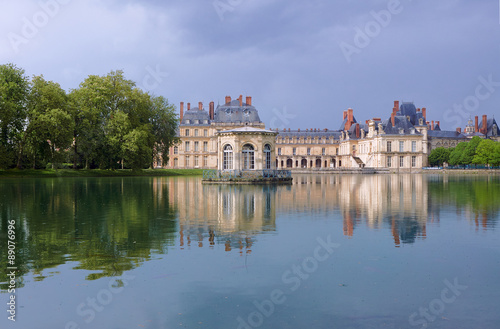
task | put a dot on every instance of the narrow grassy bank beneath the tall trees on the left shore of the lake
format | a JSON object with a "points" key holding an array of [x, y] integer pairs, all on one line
{"points": [[15, 173]]}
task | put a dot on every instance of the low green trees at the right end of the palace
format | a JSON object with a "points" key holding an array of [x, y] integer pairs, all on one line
{"points": [[477, 151]]}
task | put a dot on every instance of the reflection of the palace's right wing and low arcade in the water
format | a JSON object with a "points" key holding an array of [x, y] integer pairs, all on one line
{"points": [[398, 202]]}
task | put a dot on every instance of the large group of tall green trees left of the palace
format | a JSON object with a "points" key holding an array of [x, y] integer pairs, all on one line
{"points": [[106, 123]]}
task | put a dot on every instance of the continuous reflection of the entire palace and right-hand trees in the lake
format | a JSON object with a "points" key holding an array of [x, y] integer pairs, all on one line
{"points": [[400, 205]]}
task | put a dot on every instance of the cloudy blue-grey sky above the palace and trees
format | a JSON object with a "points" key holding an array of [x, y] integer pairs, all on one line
{"points": [[303, 62]]}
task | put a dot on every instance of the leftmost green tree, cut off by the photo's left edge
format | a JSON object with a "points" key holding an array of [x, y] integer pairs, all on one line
{"points": [[14, 88]]}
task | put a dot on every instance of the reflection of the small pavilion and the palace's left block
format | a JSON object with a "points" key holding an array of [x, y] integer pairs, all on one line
{"points": [[232, 215]]}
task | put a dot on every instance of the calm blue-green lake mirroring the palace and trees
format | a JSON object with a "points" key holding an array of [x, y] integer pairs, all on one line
{"points": [[351, 251]]}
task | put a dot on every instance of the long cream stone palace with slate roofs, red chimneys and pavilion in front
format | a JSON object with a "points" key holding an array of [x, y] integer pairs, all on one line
{"points": [[403, 141]]}
